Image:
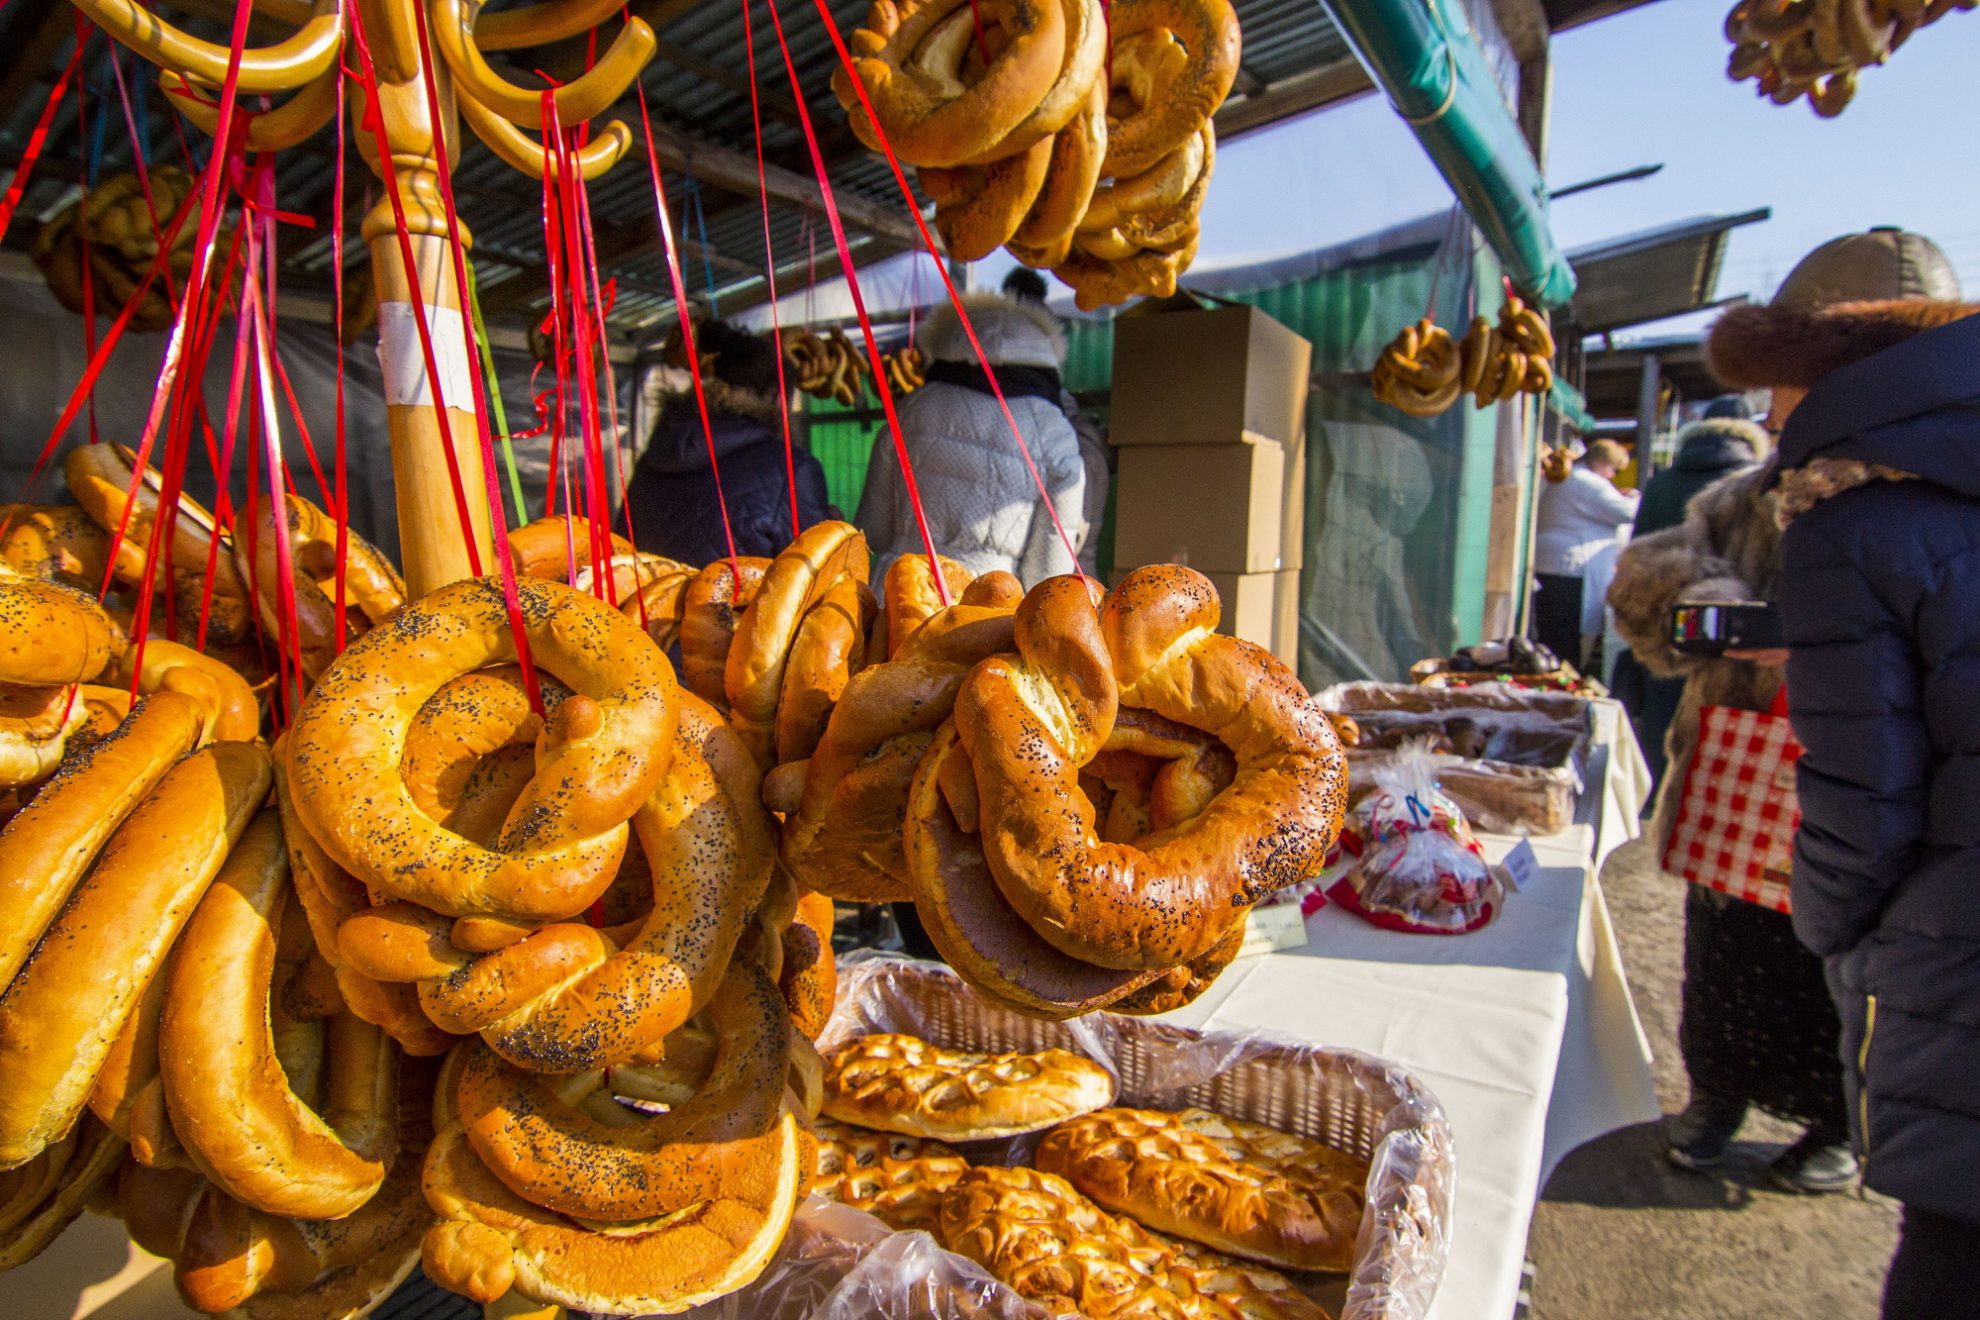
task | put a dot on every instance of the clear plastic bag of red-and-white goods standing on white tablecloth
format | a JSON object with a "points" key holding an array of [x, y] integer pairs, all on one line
{"points": [[1411, 862]]}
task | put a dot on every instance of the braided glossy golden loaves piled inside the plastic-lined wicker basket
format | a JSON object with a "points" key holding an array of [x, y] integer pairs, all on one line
{"points": [[1126, 1212]]}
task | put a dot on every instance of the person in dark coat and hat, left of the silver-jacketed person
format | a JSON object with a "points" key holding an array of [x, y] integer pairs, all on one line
{"points": [[672, 494]]}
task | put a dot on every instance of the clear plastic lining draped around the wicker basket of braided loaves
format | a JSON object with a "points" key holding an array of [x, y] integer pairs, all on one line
{"points": [[844, 1266]]}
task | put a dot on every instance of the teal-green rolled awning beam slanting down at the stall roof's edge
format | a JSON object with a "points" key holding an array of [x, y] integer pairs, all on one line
{"points": [[1425, 56]]}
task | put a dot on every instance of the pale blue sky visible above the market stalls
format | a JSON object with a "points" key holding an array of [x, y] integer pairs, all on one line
{"points": [[1640, 88]]}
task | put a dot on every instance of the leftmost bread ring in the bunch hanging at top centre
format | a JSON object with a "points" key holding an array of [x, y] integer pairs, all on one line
{"points": [[932, 118]]}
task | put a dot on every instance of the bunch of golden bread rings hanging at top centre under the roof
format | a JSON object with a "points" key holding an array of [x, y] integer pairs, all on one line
{"points": [[1074, 134]]}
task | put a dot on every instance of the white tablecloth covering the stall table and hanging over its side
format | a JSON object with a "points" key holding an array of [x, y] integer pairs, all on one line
{"points": [[1526, 1030]]}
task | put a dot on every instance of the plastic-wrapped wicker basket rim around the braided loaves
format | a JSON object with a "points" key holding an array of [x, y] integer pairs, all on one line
{"points": [[1337, 1097]]}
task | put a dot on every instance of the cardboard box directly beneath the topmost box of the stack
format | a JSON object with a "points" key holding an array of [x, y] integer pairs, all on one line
{"points": [[1213, 508]]}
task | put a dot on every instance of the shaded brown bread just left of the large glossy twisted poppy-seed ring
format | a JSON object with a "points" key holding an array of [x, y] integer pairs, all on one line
{"points": [[844, 838]]}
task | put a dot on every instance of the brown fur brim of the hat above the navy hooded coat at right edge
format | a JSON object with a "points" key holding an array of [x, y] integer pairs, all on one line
{"points": [[1767, 347]]}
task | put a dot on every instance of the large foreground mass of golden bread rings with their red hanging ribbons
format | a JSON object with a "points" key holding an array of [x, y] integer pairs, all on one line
{"points": [[346, 933]]}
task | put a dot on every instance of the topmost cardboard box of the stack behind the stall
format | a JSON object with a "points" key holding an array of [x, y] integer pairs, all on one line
{"points": [[1195, 377]]}
